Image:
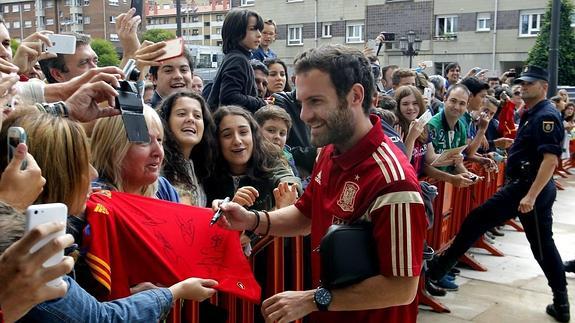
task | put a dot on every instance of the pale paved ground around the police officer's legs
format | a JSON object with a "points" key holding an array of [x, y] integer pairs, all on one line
{"points": [[514, 288]]}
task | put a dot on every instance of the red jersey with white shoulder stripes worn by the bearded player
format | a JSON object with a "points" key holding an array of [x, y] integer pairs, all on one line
{"points": [[373, 180]]}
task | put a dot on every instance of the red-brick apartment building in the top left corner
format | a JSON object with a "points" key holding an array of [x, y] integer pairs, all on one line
{"points": [[93, 17]]}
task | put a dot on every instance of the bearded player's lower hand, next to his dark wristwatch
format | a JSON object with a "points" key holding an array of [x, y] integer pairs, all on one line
{"points": [[288, 306]]}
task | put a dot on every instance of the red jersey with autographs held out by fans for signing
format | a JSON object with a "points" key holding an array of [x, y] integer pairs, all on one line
{"points": [[133, 239]]}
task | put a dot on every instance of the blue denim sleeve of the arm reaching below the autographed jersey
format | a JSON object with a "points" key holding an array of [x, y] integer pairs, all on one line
{"points": [[79, 306]]}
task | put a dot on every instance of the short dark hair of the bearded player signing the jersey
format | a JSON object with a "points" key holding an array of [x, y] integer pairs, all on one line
{"points": [[346, 66]]}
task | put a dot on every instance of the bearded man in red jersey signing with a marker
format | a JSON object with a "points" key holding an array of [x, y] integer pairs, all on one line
{"points": [[359, 174]]}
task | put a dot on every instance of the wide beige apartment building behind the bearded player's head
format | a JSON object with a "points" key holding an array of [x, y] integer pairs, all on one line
{"points": [[493, 34]]}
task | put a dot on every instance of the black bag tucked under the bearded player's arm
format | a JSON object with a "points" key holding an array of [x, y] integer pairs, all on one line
{"points": [[347, 255]]}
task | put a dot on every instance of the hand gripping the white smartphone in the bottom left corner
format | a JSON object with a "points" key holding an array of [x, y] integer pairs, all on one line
{"points": [[22, 275]]}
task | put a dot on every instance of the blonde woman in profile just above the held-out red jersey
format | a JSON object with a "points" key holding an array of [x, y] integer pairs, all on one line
{"points": [[131, 167]]}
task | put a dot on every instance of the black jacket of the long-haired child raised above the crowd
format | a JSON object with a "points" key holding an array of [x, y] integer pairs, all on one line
{"points": [[235, 83]]}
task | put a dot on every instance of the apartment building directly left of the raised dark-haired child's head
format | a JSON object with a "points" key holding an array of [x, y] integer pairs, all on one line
{"points": [[201, 26]]}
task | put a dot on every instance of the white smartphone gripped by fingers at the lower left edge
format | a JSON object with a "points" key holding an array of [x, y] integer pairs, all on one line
{"points": [[44, 213]]}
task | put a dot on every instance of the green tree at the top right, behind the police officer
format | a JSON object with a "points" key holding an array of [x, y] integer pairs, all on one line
{"points": [[539, 54]]}
